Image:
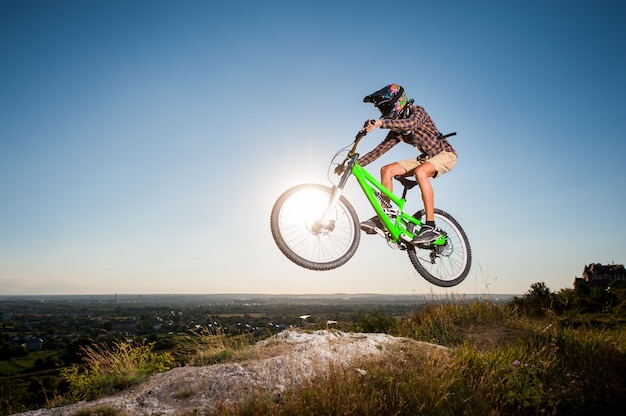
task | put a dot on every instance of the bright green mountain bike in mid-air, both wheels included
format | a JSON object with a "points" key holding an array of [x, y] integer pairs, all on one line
{"points": [[317, 228]]}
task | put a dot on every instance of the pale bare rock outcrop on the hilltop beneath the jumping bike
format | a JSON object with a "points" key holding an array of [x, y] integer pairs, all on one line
{"points": [[276, 364]]}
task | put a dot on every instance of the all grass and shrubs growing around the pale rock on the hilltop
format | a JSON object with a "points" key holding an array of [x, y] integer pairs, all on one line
{"points": [[542, 353]]}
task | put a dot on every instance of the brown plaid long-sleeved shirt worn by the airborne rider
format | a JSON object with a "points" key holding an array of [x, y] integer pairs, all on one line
{"points": [[418, 130]]}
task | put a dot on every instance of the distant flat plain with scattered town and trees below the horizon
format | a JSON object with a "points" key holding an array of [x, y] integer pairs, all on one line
{"points": [[35, 323]]}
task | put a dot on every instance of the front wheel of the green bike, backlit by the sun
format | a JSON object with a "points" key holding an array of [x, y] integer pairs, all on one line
{"points": [[305, 236]]}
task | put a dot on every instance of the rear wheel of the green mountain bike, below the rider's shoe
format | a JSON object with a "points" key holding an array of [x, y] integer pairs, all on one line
{"points": [[446, 265]]}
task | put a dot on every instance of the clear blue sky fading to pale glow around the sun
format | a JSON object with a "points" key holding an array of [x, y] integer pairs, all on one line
{"points": [[143, 143]]}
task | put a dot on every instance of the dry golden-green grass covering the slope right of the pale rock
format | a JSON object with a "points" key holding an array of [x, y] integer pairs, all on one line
{"points": [[499, 362]]}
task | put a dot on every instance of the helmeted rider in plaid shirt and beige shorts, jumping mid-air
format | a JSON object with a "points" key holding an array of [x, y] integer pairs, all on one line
{"points": [[410, 124]]}
